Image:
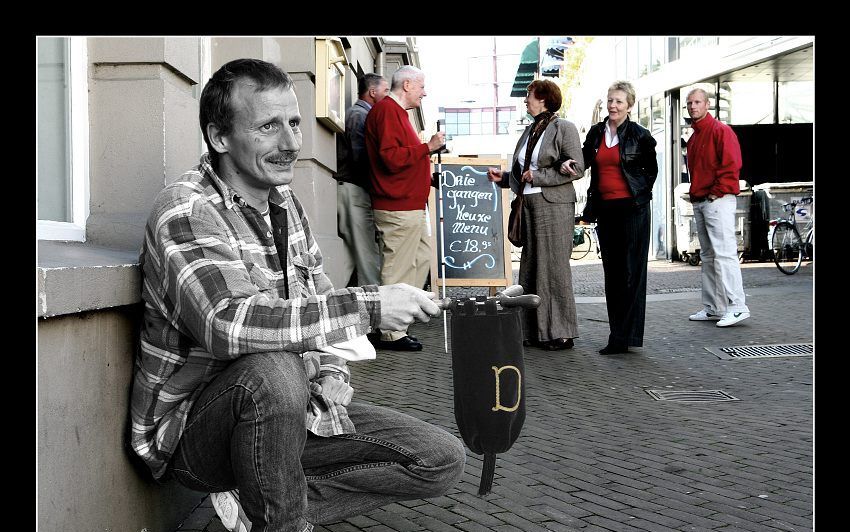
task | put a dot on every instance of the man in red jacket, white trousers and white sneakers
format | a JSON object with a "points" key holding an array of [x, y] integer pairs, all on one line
{"points": [[714, 162]]}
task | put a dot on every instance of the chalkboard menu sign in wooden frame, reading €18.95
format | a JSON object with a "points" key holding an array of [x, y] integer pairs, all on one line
{"points": [[474, 222]]}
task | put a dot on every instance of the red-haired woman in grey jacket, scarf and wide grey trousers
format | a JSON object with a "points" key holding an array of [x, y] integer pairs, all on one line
{"points": [[549, 215]]}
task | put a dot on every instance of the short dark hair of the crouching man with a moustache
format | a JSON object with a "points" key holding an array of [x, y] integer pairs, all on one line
{"points": [[215, 104]]}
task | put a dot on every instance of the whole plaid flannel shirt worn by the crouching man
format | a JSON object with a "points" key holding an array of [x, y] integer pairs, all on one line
{"points": [[214, 289]]}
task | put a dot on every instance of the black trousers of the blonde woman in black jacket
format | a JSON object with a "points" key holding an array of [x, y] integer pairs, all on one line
{"points": [[624, 230]]}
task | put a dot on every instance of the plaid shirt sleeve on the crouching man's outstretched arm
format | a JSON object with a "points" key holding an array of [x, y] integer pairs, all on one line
{"points": [[213, 295]]}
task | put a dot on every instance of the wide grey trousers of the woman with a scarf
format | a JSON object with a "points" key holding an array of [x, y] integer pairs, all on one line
{"points": [[544, 268]]}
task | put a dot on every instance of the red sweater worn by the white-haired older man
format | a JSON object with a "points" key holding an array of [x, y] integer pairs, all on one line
{"points": [[401, 168]]}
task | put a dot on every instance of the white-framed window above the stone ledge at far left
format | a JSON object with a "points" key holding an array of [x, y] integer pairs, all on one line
{"points": [[61, 138]]}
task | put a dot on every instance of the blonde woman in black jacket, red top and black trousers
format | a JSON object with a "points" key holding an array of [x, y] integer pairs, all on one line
{"points": [[623, 168]]}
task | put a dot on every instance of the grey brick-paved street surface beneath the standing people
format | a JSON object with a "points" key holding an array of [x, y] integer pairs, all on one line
{"points": [[597, 452]]}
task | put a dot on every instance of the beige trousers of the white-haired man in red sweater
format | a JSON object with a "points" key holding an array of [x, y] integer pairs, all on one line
{"points": [[406, 251]]}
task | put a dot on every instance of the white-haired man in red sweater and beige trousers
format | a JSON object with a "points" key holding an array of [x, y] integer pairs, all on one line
{"points": [[401, 181]]}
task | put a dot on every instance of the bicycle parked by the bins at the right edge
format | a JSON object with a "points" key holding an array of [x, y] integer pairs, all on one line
{"points": [[786, 244]]}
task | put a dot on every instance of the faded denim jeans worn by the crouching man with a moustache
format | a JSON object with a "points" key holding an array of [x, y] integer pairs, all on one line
{"points": [[247, 431]]}
